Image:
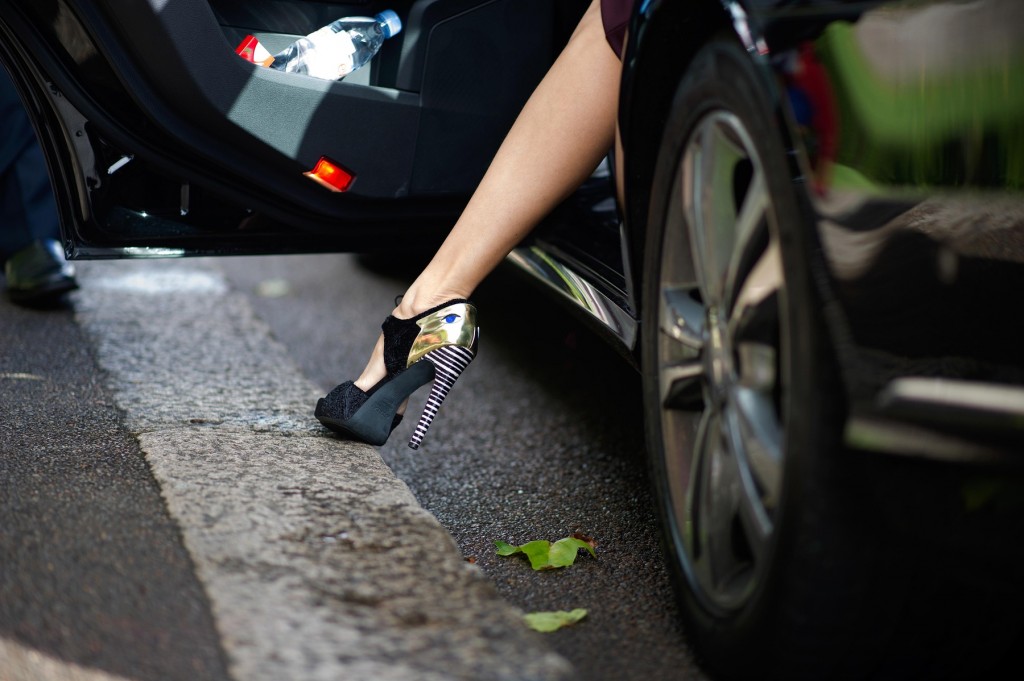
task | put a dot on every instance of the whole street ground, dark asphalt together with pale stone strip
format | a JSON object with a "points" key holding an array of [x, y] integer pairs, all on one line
{"points": [[170, 509]]}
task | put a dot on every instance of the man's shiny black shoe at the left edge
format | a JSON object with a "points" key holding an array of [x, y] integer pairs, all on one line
{"points": [[39, 275]]}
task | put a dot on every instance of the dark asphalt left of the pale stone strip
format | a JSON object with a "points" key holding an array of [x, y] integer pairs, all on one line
{"points": [[93, 570]]}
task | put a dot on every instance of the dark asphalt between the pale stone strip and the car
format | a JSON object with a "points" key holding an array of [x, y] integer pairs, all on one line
{"points": [[542, 438]]}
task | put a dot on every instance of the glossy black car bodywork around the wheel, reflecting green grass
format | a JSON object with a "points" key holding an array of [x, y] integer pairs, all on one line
{"points": [[913, 237]]}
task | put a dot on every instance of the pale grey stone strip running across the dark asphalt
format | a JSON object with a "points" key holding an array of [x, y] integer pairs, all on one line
{"points": [[318, 561]]}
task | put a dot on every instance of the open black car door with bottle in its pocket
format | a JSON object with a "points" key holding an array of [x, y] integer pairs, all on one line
{"points": [[162, 141]]}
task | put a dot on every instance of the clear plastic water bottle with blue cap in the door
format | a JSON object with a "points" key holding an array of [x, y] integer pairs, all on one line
{"points": [[338, 49]]}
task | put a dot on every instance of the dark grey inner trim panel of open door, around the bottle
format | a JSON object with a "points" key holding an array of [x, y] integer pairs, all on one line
{"points": [[425, 117]]}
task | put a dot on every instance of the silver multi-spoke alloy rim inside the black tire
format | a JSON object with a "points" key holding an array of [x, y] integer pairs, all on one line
{"points": [[720, 363]]}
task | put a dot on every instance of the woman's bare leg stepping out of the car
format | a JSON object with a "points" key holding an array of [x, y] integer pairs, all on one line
{"points": [[557, 143]]}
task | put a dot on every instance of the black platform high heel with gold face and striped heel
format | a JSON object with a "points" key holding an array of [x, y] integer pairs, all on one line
{"points": [[437, 346]]}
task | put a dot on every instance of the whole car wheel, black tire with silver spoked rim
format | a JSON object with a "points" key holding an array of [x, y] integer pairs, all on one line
{"points": [[740, 394]]}
